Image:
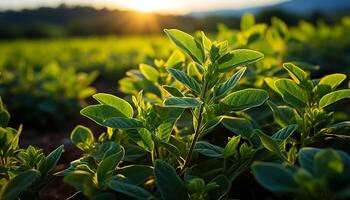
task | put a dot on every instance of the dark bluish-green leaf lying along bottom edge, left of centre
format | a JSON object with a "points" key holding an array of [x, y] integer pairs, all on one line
{"points": [[130, 190]]}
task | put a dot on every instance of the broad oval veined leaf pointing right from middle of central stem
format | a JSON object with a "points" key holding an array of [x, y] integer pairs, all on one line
{"points": [[245, 99]]}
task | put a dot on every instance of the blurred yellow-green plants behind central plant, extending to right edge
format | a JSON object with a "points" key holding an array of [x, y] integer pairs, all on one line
{"points": [[325, 45]]}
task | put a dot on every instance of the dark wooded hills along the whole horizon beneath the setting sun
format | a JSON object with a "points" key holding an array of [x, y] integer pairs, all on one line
{"points": [[66, 21]]}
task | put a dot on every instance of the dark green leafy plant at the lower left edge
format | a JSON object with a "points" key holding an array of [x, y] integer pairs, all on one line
{"points": [[23, 172]]}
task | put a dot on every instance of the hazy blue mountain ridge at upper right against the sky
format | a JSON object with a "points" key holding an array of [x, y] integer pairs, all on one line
{"points": [[300, 7]]}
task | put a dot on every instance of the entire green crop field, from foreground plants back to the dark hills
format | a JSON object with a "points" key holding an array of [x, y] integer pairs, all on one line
{"points": [[256, 112]]}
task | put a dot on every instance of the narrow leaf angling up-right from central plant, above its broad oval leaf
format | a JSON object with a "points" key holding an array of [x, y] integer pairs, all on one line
{"points": [[228, 85]]}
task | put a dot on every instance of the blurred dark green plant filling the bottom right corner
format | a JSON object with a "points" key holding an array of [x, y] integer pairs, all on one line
{"points": [[321, 174]]}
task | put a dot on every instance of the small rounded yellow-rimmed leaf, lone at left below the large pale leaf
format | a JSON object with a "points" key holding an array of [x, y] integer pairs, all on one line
{"points": [[82, 137]]}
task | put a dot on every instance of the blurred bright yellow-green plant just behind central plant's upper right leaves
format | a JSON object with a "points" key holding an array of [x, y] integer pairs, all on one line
{"points": [[272, 40]]}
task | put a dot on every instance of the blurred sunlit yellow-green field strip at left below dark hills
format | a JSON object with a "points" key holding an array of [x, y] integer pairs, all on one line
{"points": [[106, 54]]}
